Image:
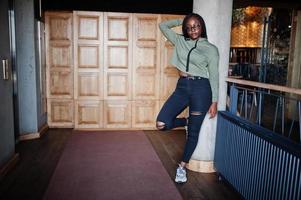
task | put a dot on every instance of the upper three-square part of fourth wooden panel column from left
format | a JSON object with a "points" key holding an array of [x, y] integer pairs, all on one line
{"points": [[146, 62]]}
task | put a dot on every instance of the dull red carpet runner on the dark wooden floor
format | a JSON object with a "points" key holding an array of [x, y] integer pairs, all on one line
{"points": [[110, 165]]}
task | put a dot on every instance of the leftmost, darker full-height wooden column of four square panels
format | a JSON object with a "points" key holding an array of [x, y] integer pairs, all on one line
{"points": [[59, 69]]}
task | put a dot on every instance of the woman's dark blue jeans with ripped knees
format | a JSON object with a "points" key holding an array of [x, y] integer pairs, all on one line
{"points": [[196, 94]]}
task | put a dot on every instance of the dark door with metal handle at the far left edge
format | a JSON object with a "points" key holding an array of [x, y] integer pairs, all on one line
{"points": [[7, 143]]}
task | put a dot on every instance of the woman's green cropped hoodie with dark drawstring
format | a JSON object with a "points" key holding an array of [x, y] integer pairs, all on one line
{"points": [[203, 59]]}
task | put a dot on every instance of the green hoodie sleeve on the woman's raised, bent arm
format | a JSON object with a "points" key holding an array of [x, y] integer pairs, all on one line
{"points": [[166, 26]]}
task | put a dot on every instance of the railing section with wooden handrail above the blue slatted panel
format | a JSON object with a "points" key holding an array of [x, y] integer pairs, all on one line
{"points": [[274, 107]]}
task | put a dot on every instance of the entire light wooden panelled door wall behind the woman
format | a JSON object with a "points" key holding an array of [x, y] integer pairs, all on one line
{"points": [[107, 70]]}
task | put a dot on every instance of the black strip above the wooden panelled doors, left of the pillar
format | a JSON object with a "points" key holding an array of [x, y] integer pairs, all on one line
{"points": [[131, 6]]}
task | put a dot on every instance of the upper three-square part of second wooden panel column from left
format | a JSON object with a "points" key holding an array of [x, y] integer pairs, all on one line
{"points": [[88, 55]]}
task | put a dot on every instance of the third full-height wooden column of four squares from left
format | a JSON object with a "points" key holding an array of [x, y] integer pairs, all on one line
{"points": [[117, 70]]}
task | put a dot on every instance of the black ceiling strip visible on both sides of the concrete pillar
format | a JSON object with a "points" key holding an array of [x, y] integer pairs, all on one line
{"points": [[154, 6]]}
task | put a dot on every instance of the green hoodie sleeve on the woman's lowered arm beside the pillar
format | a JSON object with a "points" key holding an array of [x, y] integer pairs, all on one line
{"points": [[214, 74]]}
